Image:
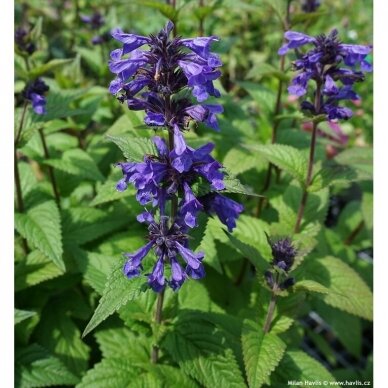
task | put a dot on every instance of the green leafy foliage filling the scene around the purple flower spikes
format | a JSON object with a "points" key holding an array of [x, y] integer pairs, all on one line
{"points": [[68, 258]]}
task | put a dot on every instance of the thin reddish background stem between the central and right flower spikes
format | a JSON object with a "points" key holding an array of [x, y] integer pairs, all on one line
{"points": [[267, 182]]}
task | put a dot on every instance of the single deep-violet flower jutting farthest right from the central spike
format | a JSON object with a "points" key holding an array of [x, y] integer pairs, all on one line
{"points": [[225, 208]]}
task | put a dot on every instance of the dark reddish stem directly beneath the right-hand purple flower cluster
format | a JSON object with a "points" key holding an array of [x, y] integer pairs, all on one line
{"points": [[311, 161]]}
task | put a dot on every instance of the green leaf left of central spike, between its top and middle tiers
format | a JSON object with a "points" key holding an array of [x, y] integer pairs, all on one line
{"points": [[134, 148]]}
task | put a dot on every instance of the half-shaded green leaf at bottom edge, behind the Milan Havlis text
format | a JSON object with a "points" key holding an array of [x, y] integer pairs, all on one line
{"points": [[298, 366]]}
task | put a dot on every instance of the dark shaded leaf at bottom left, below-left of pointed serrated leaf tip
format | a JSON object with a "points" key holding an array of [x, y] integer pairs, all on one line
{"points": [[58, 333]]}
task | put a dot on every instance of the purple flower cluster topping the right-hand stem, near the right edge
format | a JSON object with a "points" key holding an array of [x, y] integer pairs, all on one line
{"points": [[334, 67]]}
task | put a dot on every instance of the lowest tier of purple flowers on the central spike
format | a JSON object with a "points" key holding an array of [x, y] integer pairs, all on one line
{"points": [[168, 243]]}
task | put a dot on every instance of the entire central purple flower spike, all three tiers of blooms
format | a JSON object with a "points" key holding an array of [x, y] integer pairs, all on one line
{"points": [[163, 81]]}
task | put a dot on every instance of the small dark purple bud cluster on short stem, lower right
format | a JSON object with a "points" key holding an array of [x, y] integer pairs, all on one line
{"points": [[283, 254]]}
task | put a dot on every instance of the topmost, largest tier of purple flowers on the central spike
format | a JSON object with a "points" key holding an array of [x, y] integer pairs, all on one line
{"points": [[150, 80]]}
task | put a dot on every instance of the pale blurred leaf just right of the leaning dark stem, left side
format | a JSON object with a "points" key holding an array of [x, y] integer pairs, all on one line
{"points": [[77, 162]]}
